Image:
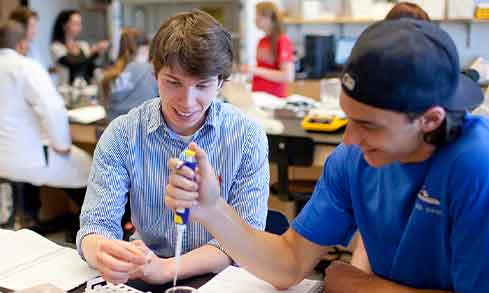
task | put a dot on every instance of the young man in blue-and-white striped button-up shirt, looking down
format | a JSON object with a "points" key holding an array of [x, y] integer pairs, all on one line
{"points": [[192, 56]]}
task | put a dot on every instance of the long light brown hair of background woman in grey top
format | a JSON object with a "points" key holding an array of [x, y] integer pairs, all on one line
{"points": [[131, 40]]}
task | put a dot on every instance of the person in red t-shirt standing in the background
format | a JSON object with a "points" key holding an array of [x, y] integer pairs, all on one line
{"points": [[274, 56]]}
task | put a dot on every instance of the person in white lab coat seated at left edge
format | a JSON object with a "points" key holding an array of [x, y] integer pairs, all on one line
{"points": [[35, 143]]}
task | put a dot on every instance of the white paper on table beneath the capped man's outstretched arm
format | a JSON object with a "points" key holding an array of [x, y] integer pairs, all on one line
{"points": [[238, 280]]}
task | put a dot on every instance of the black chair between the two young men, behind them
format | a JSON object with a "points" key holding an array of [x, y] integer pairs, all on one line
{"points": [[288, 151]]}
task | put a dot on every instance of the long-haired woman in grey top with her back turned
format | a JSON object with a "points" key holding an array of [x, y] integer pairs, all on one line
{"points": [[130, 81]]}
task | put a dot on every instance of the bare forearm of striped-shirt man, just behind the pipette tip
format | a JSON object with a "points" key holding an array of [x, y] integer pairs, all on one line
{"points": [[203, 260]]}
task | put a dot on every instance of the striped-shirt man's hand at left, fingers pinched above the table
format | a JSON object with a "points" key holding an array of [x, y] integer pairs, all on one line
{"points": [[116, 259]]}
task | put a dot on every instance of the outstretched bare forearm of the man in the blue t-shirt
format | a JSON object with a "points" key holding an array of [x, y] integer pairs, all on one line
{"points": [[266, 255]]}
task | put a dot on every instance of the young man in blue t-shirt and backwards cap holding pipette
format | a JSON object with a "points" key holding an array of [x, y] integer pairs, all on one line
{"points": [[411, 176]]}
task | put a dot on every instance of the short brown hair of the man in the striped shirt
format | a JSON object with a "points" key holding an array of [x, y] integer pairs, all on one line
{"points": [[196, 42]]}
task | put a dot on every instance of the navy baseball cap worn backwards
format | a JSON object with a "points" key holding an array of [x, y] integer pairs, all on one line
{"points": [[408, 65]]}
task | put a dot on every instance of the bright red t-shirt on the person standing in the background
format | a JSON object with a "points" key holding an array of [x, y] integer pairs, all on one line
{"points": [[264, 58]]}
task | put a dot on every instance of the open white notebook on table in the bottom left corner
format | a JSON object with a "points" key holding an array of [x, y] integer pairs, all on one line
{"points": [[27, 259]]}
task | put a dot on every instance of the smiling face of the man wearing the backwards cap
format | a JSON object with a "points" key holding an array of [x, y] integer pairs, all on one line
{"points": [[384, 136]]}
